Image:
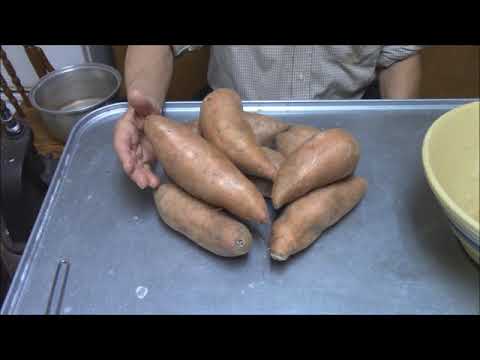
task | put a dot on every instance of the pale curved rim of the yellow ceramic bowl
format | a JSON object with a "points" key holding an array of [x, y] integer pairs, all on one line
{"points": [[430, 174]]}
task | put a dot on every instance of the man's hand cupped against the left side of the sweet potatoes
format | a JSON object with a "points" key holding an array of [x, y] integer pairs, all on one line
{"points": [[131, 145]]}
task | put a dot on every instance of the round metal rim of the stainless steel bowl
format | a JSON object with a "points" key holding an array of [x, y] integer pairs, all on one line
{"points": [[89, 65]]}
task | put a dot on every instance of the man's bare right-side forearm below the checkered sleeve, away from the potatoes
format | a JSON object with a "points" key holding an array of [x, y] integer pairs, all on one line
{"points": [[402, 79]]}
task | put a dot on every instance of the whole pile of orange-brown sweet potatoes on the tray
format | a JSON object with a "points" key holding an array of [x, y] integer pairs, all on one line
{"points": [[222, 166]]}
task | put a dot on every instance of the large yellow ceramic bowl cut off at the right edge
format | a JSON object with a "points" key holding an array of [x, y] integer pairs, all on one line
{"points": [[451, 157]]}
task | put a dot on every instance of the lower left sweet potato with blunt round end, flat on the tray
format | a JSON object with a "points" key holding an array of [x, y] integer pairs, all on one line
{"points": [[208, 227]]}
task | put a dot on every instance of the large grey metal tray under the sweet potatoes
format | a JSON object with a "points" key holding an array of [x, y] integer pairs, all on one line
{"points": [[99, 247]]}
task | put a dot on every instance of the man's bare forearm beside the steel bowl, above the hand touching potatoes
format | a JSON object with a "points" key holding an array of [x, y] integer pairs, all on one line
{"points": [[149, 69]]}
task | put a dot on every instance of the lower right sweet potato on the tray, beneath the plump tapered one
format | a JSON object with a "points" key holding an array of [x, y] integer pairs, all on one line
{"points": [[303, 221]]}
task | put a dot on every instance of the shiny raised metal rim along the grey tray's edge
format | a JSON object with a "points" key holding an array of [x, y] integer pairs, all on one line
{"points": [[17, 284]]}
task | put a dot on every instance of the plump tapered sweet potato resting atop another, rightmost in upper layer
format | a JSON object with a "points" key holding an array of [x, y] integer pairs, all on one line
{"points": [[329, 156]]}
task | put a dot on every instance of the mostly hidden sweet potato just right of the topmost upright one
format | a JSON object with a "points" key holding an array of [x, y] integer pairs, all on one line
{"points": [[264, 127]]}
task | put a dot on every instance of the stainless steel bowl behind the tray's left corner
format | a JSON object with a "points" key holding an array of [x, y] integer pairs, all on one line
{"points": [[64, 96]]}
